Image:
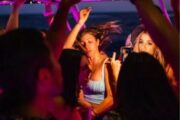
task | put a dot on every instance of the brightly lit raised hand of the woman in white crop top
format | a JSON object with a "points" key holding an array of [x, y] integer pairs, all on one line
{"points": [[84, 14]]}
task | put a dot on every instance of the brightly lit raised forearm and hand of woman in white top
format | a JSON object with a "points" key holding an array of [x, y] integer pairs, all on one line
{"points": [[84, 14]]}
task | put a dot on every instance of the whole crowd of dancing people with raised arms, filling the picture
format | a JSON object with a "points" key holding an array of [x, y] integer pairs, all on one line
{"points": [[60, 75]]}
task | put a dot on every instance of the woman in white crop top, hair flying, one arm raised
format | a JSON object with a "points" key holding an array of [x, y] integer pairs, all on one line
{"points": [[95, 93]]}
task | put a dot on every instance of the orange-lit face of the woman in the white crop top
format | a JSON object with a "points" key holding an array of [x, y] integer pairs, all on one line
{"points": [[90, 43]]}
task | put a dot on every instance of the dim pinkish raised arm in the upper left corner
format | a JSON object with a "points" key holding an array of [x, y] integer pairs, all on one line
{"points": [[13, 21]]}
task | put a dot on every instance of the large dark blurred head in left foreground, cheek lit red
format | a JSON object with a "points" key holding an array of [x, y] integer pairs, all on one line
{"points": [[27, 70]]}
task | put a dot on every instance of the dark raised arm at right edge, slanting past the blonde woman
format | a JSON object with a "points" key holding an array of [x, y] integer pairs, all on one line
{"points": [[163, 33]]}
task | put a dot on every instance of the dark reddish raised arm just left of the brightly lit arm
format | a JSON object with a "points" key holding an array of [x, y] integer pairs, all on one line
{"points": [[57, 33]]}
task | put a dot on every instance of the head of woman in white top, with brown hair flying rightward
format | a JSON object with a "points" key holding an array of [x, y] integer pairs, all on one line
{"points": [[96, 37]]}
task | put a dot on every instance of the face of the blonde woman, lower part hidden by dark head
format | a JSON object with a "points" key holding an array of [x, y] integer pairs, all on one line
{"points": [[146, 44]]}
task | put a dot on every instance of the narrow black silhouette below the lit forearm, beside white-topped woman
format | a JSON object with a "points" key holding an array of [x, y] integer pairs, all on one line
{"points": [[70, 63]]}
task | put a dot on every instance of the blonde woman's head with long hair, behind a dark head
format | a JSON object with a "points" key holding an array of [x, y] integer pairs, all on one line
{"points": [[144, 43]]}
